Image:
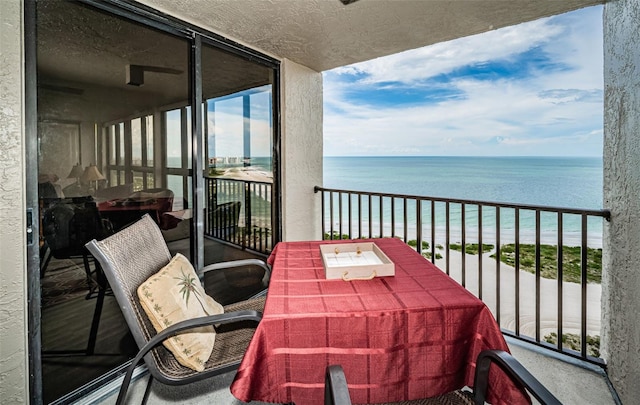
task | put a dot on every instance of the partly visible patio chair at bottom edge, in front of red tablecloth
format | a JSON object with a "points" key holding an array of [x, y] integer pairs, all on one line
{"points": [[337, 392]]}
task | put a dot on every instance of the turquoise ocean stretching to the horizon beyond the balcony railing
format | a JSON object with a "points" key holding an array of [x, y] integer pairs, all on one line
{"points": [[573, 182]]}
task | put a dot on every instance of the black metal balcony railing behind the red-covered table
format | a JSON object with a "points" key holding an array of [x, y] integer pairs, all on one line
{"points": [[450, 232]]}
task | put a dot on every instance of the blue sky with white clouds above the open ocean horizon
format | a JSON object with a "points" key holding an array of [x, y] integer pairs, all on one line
{"points": [[534, 89]]}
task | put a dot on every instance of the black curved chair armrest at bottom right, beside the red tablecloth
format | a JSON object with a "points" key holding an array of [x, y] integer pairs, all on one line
{"points": [[514, 370]]}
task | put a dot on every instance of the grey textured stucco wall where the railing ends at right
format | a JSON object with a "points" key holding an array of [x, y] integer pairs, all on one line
{"points": [[621, 253]]}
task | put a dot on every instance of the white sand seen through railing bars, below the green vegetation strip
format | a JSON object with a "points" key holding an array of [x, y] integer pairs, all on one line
{"points": [[548, 296]]}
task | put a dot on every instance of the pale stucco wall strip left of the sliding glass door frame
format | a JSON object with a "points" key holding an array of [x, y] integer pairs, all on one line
{"points": [[13, 344]]}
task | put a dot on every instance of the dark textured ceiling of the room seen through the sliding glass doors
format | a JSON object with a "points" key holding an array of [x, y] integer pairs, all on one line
{"points": [[83, 52]]}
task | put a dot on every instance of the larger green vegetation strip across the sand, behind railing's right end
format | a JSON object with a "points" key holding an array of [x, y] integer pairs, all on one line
{"points": [[571, 261]]}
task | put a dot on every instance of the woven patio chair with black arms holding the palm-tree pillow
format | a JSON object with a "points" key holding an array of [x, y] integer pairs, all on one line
{"points": [[131, 256]]}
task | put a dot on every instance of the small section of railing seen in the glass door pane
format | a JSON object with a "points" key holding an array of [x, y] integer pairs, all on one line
{"points": [[239, 212]]}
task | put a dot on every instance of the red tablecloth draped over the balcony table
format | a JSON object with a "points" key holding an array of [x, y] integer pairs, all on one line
{"points": [[414, 335]]}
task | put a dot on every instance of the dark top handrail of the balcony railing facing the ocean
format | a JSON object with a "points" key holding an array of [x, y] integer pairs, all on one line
{"points": [[606, 214]]}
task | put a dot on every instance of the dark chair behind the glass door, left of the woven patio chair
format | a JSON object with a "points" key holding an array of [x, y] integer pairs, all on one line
{"points": [[67, 224]]}
